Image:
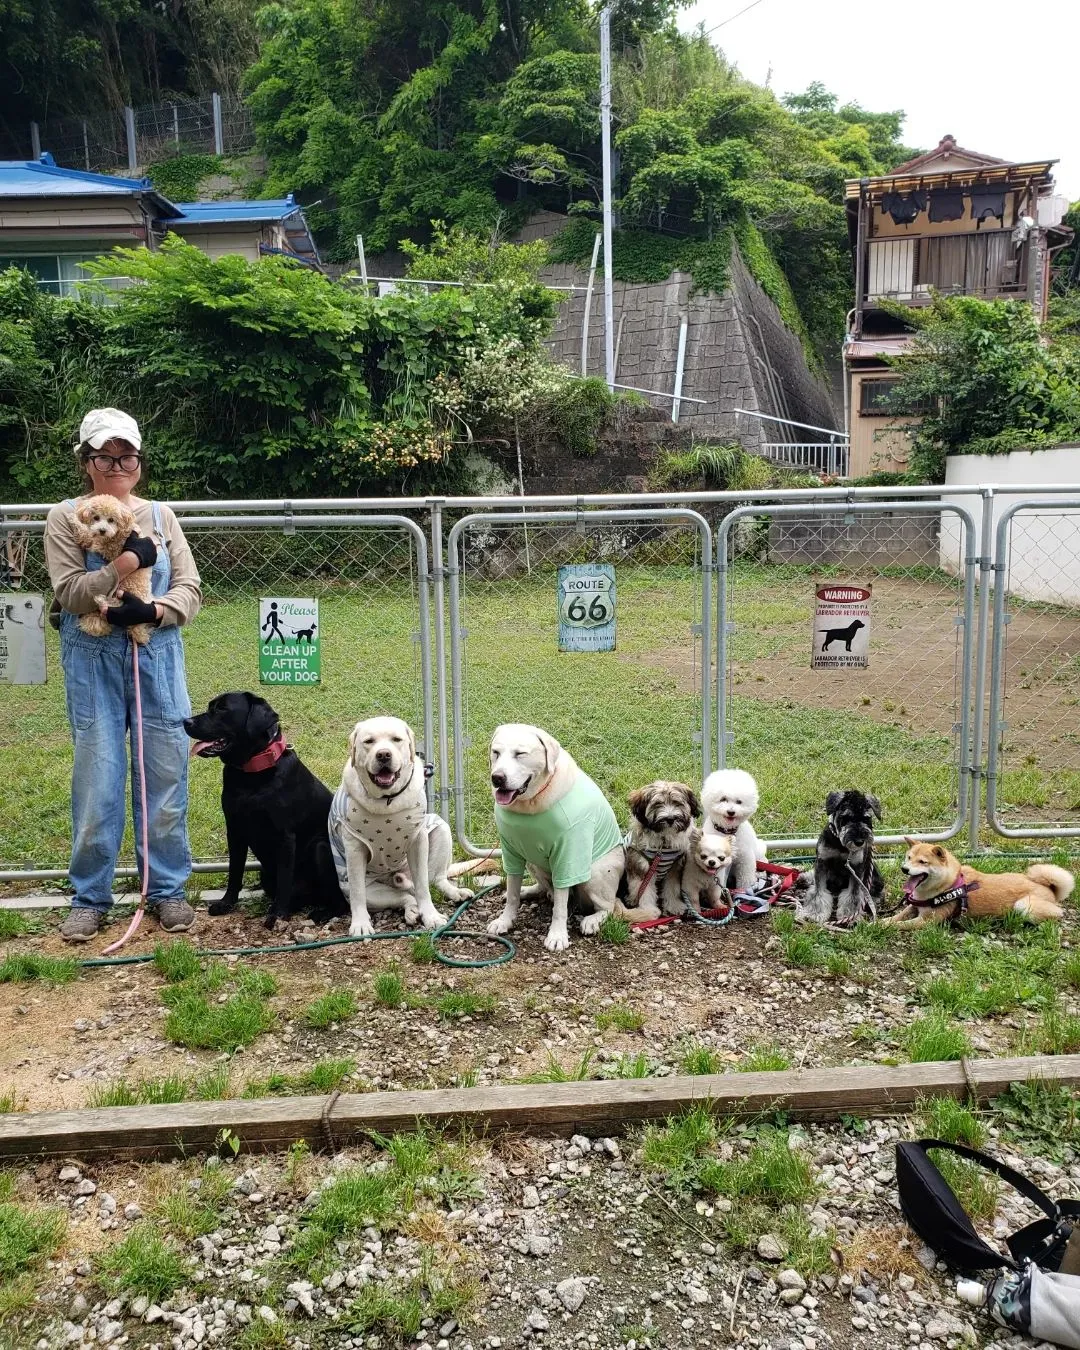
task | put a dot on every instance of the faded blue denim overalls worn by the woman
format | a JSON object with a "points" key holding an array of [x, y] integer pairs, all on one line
{"points": [[101, 693]]}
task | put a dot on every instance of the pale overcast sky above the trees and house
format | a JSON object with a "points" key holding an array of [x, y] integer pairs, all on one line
{"points": [[998, 76]]}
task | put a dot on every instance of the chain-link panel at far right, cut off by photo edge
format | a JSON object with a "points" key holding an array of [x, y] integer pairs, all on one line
{"points": [[1035, 734]]}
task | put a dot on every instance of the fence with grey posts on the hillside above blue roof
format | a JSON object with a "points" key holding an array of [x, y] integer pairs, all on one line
{"points": [[115, 141]]}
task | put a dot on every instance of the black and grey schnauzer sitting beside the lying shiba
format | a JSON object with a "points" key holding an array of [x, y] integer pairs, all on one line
{"points": [[846, 884]]}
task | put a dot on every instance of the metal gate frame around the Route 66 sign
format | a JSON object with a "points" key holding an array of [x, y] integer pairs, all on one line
{"points": [[542, 518]]}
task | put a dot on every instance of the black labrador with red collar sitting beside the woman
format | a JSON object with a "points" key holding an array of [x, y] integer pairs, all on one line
{"points": [[273, 805]]}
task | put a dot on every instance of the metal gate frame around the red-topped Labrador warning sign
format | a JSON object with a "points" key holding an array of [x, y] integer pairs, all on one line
{"points": [[967, 794]]}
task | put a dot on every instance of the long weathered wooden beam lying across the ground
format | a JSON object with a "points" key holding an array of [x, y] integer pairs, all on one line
{"points": [[593, 1108]]}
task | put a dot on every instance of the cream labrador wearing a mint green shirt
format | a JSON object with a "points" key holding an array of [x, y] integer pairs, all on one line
{"points": [[553, 819]]}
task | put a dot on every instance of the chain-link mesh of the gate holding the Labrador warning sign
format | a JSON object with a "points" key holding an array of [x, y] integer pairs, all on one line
{"points": [[901, 727]]}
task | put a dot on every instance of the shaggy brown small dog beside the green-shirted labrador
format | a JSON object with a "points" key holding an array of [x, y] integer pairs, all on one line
{"points": [[662, 816]]}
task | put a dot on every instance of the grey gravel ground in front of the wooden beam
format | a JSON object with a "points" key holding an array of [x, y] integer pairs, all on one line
{"points": [[568, 1244]]}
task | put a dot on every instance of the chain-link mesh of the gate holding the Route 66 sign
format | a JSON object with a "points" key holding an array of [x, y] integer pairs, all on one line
{"points": [[628, 716]]}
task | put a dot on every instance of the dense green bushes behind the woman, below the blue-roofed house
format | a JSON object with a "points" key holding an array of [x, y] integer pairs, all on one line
{"points": [[267, 377]]}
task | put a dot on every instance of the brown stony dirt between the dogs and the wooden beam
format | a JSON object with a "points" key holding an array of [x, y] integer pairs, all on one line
{"points": [[728, 990]]}
